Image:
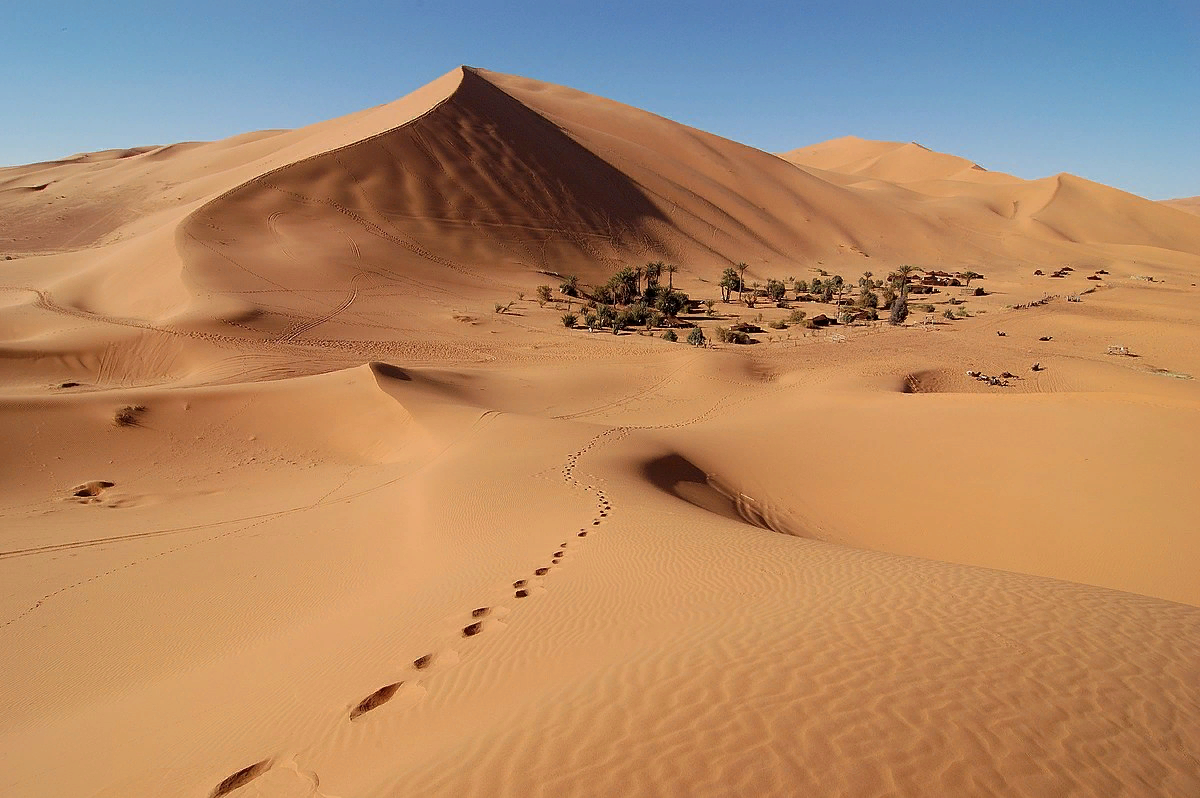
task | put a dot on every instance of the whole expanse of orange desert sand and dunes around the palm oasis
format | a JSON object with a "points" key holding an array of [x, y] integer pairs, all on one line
{"points": [[290, 508]]}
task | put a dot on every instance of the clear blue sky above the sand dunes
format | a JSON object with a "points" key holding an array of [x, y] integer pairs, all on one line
{"points": [[1106, 91]]}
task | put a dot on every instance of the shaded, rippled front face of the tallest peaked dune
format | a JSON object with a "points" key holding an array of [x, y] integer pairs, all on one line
{"points": [[478, 187]]}
